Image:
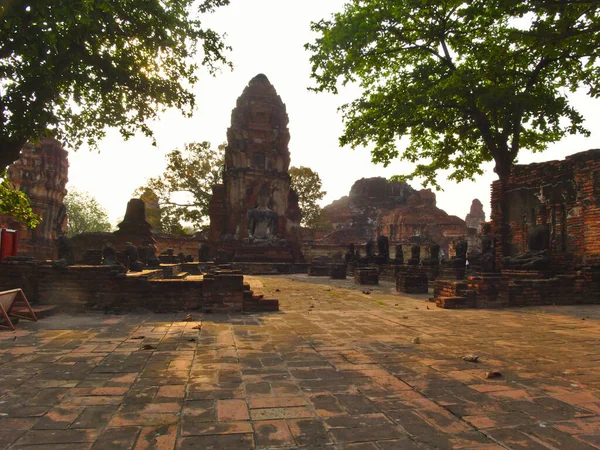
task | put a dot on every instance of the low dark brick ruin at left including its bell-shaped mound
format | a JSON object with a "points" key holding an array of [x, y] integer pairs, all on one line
{"points": [[100, 279]]}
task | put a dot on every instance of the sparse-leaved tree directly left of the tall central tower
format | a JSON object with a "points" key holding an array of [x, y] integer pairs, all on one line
{"points": [[184, 190]]}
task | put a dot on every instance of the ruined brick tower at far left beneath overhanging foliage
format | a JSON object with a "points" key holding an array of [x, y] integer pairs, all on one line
{"points": [[41, 173]]}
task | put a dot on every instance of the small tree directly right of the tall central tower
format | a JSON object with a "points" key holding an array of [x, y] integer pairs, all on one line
{"points": [[307, 184]]}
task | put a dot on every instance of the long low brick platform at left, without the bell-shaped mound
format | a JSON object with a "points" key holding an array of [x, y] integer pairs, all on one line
{"points": [[107, 288]]}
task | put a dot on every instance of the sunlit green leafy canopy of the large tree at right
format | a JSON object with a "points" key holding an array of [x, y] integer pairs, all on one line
{"points": [[466, 81]]}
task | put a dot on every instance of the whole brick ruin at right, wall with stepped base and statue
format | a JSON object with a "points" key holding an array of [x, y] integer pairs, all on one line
{"points": [[551, 248]]}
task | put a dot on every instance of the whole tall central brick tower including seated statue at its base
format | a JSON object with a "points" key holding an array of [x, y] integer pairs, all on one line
{"points": [[254, 215]]}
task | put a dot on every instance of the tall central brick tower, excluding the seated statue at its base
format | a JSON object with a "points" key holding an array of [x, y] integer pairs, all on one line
{"points": [[257, 160]]}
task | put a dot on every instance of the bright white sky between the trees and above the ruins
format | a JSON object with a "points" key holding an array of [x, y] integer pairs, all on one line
{"points": [[268, 36]]}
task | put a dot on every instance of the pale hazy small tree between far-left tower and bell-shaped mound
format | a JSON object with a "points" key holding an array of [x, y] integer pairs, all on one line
{"points": [[85, 214]]}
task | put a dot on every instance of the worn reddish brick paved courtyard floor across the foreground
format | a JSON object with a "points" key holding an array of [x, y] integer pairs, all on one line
{"points": [[336, 368]]}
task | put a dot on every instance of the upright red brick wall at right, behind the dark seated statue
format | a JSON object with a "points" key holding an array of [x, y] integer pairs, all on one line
{"points": [[563, 194]]}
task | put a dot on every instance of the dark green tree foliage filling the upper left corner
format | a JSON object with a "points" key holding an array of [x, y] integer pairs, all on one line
{"points": [[72, 68]]}
